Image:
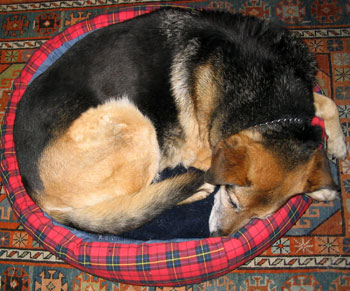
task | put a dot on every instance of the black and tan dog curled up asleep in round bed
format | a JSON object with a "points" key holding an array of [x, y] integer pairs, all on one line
{"points": [[227, 94]]}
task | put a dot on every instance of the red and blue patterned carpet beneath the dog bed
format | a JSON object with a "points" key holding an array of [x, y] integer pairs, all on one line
{"points": [[314, 255]]}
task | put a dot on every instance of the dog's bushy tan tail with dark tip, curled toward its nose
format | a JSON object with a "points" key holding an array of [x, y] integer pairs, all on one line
{"points": [[127, 212]]}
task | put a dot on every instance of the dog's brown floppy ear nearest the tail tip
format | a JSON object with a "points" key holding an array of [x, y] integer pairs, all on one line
{"points": [[229, 164]]}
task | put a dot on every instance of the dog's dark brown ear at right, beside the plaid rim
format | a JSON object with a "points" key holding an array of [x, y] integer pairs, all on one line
{"points": [[320, 176]]}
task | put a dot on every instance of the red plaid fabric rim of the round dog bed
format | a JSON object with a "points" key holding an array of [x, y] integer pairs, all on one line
{"points": [[166, 263]]}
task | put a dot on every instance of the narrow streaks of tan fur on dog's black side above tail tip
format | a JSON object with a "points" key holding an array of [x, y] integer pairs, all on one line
{"points": [[194, 116]]}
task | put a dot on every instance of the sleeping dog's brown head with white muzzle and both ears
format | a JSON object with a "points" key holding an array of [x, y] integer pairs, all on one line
{"points": [[256, 181]]}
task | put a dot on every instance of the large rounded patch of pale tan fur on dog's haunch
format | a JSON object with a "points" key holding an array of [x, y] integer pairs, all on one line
{"points": [[109, 150]]}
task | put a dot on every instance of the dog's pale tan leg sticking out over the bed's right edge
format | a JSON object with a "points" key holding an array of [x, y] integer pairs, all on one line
{"points": [[328, 111]]}
